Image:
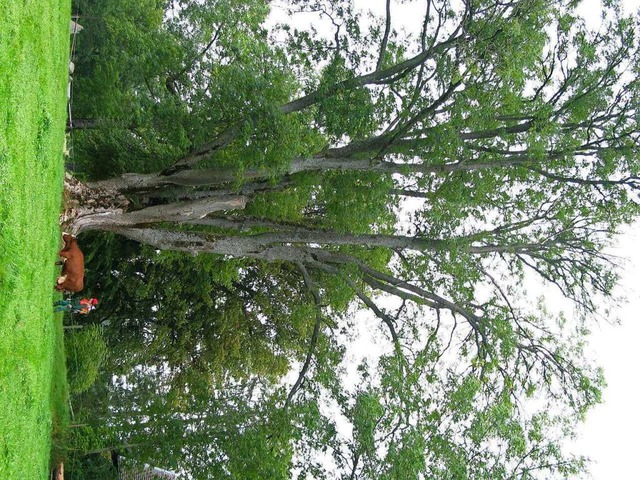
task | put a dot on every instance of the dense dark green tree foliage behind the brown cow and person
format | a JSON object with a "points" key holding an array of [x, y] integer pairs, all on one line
{"points": [[219, 323]]}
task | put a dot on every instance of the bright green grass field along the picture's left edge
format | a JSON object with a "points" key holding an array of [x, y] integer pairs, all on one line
{"points": [[34, 45]]}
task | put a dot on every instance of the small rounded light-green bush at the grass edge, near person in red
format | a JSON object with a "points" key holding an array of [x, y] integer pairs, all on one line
{"points": [[86, 350]]}
